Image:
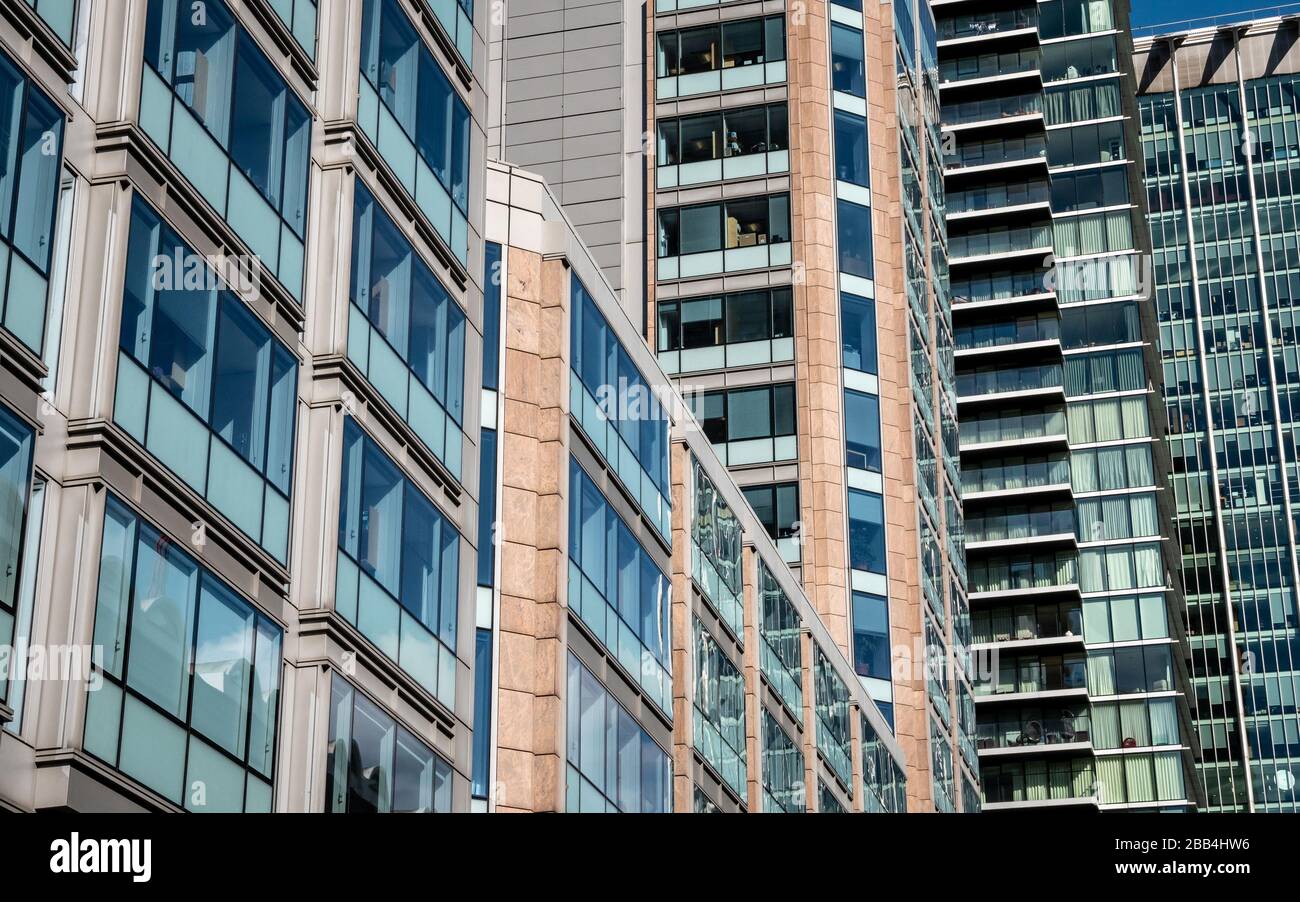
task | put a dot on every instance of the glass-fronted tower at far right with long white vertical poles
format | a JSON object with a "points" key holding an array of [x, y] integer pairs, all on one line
{"points": [[1219, 105]]}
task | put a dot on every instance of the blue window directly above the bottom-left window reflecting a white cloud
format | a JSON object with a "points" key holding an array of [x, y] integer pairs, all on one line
{"points": [[203, 384]]}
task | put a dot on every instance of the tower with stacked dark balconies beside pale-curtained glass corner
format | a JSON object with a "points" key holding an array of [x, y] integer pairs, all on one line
{"points": [[1064, 474]]}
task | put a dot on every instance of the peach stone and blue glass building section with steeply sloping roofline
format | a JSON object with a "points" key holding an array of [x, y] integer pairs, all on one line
{"points": [[656, 653]]}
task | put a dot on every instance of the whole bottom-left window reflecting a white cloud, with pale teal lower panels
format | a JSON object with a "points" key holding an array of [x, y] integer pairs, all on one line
{"points": [[192, 692]]}
